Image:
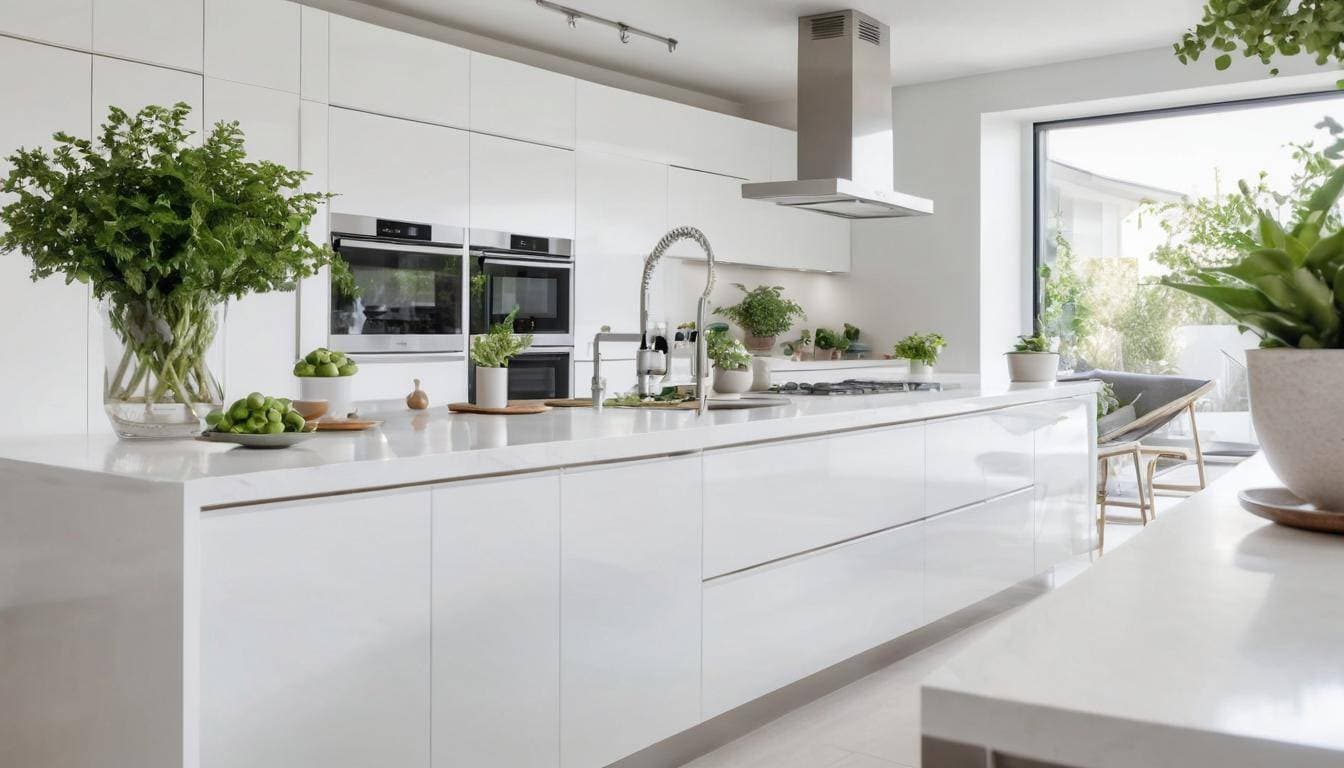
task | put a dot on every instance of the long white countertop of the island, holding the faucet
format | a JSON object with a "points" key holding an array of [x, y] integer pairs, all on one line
{"points": [[421, 447]]}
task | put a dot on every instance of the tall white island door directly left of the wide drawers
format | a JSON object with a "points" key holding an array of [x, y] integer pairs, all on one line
{"points": [[630, 607]]}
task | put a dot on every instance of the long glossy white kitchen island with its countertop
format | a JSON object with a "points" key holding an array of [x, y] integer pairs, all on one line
{"points": [[556, 590]]}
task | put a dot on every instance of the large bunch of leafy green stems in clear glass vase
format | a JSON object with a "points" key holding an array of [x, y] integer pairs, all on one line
{"points": [[163, 232]]}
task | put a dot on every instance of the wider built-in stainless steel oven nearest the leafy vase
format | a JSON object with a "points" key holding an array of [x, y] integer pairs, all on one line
{"points": [[409, 287]]}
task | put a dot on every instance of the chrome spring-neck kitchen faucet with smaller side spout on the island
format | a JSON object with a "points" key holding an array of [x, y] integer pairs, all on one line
{"points": [[651, 362]]}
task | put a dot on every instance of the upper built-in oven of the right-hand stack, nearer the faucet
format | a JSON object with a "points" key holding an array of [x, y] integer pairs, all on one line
{"points": [[533, 275]]}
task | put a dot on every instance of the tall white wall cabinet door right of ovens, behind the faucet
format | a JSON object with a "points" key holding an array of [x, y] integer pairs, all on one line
{"points": [[622, 213]]}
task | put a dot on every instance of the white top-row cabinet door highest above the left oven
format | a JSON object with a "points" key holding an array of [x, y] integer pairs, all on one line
{"points": [[394, 73]]}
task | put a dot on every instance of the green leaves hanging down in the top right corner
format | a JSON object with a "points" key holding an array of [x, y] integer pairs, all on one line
{"points": [[1267, 29]]}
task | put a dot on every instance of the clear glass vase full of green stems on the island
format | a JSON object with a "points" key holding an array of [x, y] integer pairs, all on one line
{"points": [[159, 365]]}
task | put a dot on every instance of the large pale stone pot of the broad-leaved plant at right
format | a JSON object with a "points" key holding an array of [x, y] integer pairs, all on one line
{"points": [[1298, 407]]}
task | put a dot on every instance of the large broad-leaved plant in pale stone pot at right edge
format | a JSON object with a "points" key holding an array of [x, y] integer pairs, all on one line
{"points": [[1288, 289]]}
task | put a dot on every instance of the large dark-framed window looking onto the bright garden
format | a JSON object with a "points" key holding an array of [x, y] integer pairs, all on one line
{"points": [[1124, 201]]}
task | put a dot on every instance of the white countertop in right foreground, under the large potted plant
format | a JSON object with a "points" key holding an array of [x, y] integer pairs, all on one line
{"points": [[1213, 638]]}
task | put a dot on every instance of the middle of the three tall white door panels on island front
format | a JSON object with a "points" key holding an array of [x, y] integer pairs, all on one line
{"points": [[498, 622]]}
